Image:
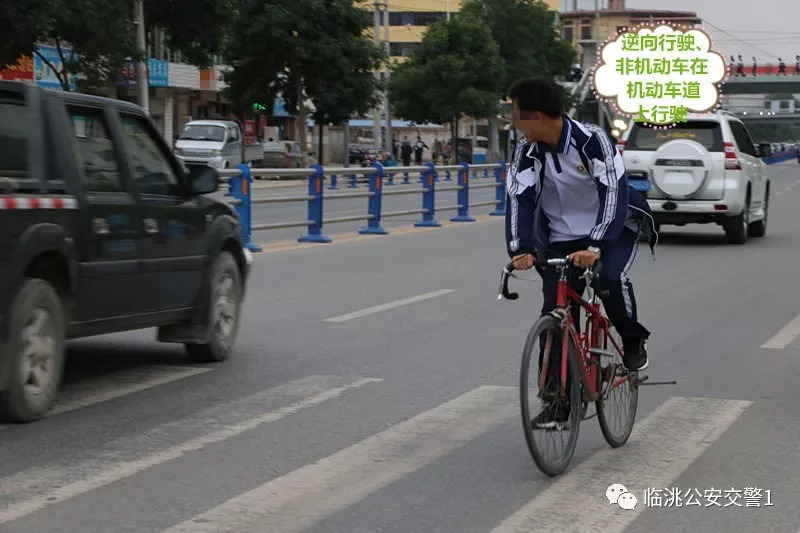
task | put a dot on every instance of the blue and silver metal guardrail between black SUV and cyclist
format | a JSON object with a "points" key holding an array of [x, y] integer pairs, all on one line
{"points": [[430, 176]]}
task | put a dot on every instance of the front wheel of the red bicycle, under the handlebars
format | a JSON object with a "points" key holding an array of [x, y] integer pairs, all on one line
{"points": [[547, 333]]}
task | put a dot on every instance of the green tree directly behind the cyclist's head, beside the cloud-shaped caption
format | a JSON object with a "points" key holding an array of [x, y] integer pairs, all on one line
{"points": [[525, 33]]}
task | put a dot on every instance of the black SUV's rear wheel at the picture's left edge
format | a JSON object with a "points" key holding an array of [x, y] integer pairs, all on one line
{"points": [[36, 352]]}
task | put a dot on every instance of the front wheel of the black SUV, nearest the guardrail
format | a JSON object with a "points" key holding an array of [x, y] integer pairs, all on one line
{"points": [[225, 295]]}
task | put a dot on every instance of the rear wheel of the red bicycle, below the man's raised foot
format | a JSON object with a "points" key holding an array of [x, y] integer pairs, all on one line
{"points": [[616, 413]]}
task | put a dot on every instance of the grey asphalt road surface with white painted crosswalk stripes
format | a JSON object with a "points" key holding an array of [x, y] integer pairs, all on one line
{"points": [[405, 418]]}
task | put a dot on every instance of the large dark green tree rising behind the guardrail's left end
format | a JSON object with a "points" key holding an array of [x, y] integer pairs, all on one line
{"points": [[315, 50]]}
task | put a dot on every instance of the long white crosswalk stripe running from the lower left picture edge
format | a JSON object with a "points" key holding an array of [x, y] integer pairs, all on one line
{"points": [[34, 489]]}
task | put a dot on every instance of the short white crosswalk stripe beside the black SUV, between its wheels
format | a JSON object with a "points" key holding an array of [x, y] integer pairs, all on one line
{"points": [[112, 386]]}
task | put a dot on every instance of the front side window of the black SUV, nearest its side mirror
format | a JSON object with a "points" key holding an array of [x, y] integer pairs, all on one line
{"points": [[152, 171]]}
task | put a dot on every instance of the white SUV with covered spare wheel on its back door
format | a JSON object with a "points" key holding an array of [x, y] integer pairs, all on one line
{"points": [[705, 170]]}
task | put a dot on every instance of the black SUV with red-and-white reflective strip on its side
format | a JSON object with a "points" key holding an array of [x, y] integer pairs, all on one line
{"points": [[102, 230]]}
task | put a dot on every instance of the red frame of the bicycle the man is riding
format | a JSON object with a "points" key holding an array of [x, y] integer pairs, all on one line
{"points": [[586, 342]]}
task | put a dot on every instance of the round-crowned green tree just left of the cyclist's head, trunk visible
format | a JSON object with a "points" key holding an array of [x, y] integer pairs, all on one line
{"points": [[457, 70]]}
